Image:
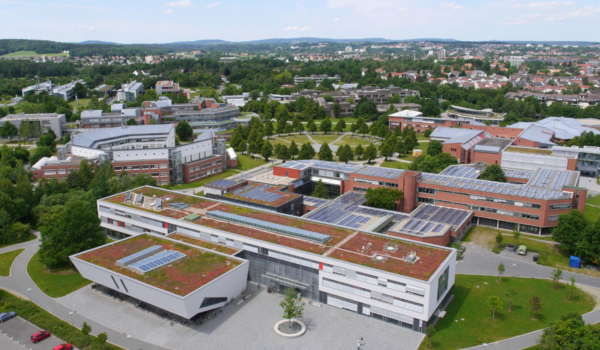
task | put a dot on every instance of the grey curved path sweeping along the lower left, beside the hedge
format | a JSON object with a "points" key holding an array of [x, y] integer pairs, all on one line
{"points": [[19, 282]]}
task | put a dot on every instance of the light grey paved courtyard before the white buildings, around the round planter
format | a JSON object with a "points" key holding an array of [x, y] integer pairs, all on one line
{"points": [[248, 325]]}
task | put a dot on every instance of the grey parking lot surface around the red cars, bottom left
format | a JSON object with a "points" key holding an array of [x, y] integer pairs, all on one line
{"points": [[15, 334]]}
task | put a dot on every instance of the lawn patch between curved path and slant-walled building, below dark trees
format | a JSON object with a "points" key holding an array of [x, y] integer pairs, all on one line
{"points": [[56, 283]]}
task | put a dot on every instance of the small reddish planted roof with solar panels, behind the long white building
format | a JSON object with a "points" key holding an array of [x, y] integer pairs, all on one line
{"points": [[262, 194]]}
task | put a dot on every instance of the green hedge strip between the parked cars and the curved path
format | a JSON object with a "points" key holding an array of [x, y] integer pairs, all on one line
{"points": [[47, 321]]}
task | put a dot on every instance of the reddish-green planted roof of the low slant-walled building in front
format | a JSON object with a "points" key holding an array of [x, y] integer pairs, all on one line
{"points": [[197, 268]]}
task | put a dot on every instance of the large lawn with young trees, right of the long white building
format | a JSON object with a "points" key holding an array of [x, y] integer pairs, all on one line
{"points": [[469, 318]]}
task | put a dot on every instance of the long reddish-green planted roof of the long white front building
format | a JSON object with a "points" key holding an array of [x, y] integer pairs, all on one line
{"points": [[349, 237]]}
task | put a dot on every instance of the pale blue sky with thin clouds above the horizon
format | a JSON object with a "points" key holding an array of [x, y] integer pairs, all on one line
{"points": [[162, 21]]}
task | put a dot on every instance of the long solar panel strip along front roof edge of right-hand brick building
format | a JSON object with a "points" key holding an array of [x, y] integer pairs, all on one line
{"points": [[494, 187]]}
